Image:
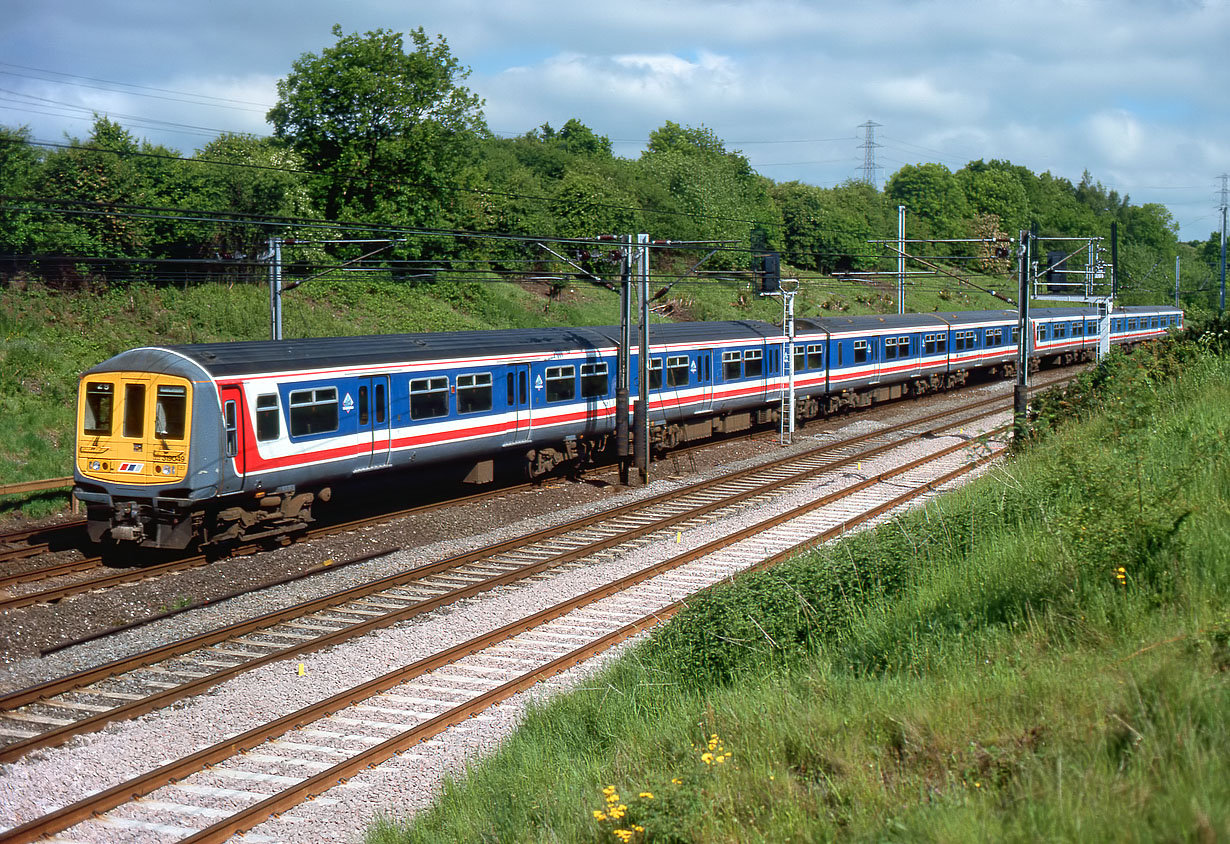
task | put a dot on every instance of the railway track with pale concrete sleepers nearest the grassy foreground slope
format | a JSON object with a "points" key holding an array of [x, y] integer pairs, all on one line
{"points": [[239, 783]]}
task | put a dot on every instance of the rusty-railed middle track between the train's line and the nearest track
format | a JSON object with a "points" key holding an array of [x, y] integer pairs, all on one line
{"points": [[54, 712]]}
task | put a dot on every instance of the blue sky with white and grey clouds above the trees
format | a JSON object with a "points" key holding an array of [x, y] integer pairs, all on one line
{"points": [[1135, 92]]}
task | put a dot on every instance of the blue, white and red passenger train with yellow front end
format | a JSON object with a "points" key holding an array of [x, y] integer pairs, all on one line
{"points": [[216, 444]]}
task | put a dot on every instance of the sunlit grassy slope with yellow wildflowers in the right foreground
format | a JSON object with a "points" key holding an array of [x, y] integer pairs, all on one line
{"points": [[1044, 655]]}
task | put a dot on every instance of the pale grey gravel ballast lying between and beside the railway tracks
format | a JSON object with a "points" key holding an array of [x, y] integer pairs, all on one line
{"points": [[56, 777]]}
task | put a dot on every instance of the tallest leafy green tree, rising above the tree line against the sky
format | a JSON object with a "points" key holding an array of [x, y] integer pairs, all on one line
{"points": [[392, 132]]}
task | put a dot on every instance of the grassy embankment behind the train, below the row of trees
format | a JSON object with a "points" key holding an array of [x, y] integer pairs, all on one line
{"points": [[49, 339]]}
